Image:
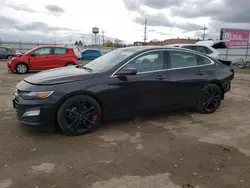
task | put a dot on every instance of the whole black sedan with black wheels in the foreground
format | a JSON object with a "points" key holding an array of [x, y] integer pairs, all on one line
{"points": [[123, 82]]}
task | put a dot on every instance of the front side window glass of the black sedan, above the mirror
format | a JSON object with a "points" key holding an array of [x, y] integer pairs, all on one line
{"points": [[148, 62]]}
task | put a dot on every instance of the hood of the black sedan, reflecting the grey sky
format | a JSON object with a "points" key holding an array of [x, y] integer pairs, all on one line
{"points": [[59, 76]]}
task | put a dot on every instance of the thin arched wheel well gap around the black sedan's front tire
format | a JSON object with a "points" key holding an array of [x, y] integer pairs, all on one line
{"points": [[74, 94]]}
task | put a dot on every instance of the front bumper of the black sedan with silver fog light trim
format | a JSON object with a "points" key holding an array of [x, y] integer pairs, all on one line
{"points": [[40, 115]]}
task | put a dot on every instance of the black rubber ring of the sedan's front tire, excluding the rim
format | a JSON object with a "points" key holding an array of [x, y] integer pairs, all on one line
{"points": [[61, 112]]}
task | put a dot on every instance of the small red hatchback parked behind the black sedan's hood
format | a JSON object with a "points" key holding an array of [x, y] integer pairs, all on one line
{"points": [[43, 58]]}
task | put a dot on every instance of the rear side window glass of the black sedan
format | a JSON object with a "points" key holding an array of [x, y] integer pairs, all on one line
{"points": [[185, 59]]}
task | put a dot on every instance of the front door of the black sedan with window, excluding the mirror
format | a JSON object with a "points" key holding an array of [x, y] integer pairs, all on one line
{"points": [[143, 91]]}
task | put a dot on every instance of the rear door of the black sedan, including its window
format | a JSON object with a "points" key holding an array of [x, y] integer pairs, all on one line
{"points": [[188, 73]]}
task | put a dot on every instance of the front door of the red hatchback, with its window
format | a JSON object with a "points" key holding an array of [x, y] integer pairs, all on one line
{"points": [[42, 59]]}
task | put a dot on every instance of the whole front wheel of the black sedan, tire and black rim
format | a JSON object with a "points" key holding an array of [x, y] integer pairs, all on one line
{"points": [[79, 115]]}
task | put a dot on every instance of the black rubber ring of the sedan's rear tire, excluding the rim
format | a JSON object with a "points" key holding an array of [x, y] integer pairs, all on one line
{"points": [[200, 107]]}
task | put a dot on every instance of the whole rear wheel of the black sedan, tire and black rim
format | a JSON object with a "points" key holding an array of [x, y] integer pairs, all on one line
{"points": [[210, 99]]}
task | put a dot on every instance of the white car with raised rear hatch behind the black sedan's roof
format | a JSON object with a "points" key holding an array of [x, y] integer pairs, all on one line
{"points": [[207, 47]]}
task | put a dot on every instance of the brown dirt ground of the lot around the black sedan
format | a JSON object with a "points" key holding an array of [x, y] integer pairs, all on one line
{"points": [[171, 150]]}
